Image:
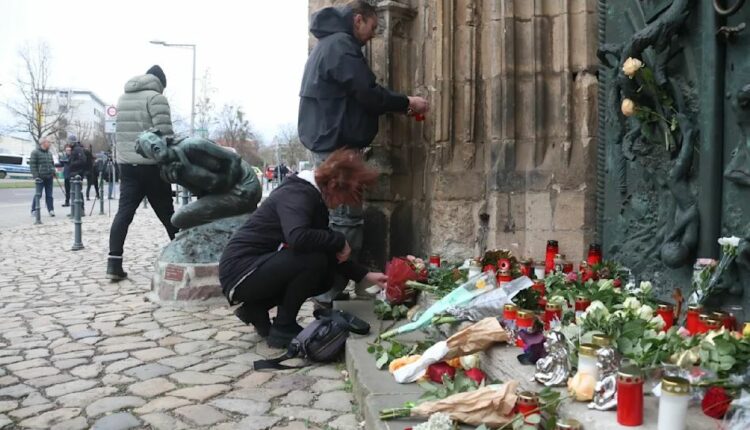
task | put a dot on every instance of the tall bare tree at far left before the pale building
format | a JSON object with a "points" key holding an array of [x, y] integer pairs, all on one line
{"points": [[31, 108]]}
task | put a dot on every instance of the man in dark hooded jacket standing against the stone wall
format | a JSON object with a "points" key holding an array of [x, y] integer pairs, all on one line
{"points": [[340, 101]]}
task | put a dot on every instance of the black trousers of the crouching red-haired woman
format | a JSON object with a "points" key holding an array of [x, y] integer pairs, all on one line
{"points": [[286, 280]]}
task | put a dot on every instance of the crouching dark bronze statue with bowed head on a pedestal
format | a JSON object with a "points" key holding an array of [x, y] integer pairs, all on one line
{"points": [[225, 184]]}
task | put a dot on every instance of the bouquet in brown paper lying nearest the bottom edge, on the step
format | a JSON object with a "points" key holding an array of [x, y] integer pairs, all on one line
{"points": [[491, 405]]}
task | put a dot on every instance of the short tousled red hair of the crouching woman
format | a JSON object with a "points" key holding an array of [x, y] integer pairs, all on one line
{"points": [[344, 176]]}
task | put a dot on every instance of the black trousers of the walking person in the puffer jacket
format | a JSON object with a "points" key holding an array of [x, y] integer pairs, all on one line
{"points": [[137, 182]]}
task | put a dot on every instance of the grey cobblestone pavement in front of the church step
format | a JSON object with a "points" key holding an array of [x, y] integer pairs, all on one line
{"points": [[77, 351]]}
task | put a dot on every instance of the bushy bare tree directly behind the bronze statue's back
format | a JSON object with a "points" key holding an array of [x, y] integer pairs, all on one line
{"points": [[235, 131]]}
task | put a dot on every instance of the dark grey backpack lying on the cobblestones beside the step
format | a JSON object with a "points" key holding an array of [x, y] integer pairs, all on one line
{"points": [[322, 341]]}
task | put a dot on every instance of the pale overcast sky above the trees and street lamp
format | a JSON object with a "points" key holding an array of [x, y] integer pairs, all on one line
{"points": [[255, 49]]}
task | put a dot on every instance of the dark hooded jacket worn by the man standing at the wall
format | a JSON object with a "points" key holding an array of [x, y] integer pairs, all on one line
{"points": [[339, 100]]}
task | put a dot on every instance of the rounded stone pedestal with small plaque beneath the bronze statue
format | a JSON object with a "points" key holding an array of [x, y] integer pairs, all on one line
{"points": [[187, 271]]}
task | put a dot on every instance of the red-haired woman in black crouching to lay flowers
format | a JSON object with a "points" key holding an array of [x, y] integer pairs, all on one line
{"points": [[285, 253]]}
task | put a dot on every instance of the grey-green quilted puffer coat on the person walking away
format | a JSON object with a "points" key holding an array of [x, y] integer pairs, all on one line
{"points": [[141, 107]]}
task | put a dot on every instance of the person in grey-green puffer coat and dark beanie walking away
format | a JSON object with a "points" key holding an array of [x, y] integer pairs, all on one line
{"points": [[140, 108]]}
